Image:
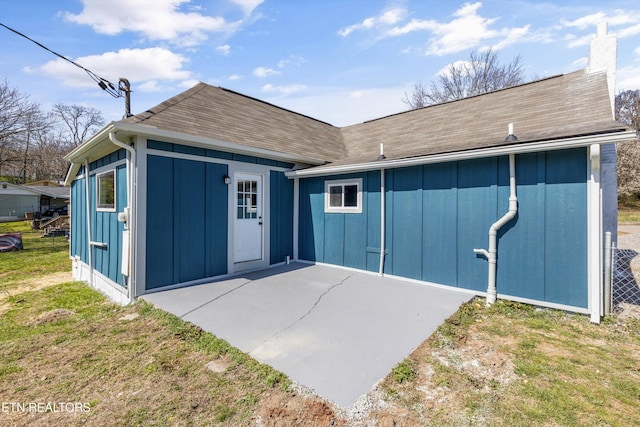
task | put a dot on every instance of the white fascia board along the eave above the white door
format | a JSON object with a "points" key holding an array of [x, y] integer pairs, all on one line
{"points": [[211, 144]]}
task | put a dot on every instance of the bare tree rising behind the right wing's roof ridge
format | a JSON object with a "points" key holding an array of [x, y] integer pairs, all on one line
{"points": [[480, 74]]}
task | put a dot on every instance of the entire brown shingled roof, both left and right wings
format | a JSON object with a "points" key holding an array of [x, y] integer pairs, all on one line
{"points": [[557, 107]]}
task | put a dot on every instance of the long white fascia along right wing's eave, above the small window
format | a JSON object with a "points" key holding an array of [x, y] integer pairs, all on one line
{"points": [[557, 144]]}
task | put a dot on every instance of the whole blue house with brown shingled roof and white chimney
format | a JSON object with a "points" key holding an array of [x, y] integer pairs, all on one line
{"points": [[505, 194]]}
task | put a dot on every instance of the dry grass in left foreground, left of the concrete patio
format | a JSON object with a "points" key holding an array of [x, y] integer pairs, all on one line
{"points": [[133, 366]]}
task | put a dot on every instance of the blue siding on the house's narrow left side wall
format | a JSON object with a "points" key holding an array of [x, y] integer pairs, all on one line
{"points": [[105, 227]]}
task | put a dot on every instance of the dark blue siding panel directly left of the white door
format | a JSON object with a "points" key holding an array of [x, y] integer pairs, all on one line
{"points": [[187, 209]]}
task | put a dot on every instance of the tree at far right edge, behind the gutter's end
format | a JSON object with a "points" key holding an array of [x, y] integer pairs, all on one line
{"points": [[628, 169]]}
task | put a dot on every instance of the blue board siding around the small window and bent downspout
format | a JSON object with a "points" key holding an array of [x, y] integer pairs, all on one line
{"points": [[437, 214]]}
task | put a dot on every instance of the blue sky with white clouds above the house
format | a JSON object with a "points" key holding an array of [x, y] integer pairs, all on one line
{"points": [[339, 61]]}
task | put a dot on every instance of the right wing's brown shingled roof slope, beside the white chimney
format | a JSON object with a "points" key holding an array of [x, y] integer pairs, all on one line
{"points": [[557, 107]]}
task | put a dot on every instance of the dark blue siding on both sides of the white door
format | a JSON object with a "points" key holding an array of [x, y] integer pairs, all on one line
{"points": [[188, 214]]}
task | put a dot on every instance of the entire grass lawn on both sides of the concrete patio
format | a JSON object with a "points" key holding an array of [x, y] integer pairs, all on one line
{"points": [[507, 365]]}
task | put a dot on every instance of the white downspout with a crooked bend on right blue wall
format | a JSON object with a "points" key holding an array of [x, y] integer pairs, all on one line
{"points": [[492, 253]]}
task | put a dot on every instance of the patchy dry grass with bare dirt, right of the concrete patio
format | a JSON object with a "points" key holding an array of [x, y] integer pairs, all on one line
{"points": [[512, 364]]}
